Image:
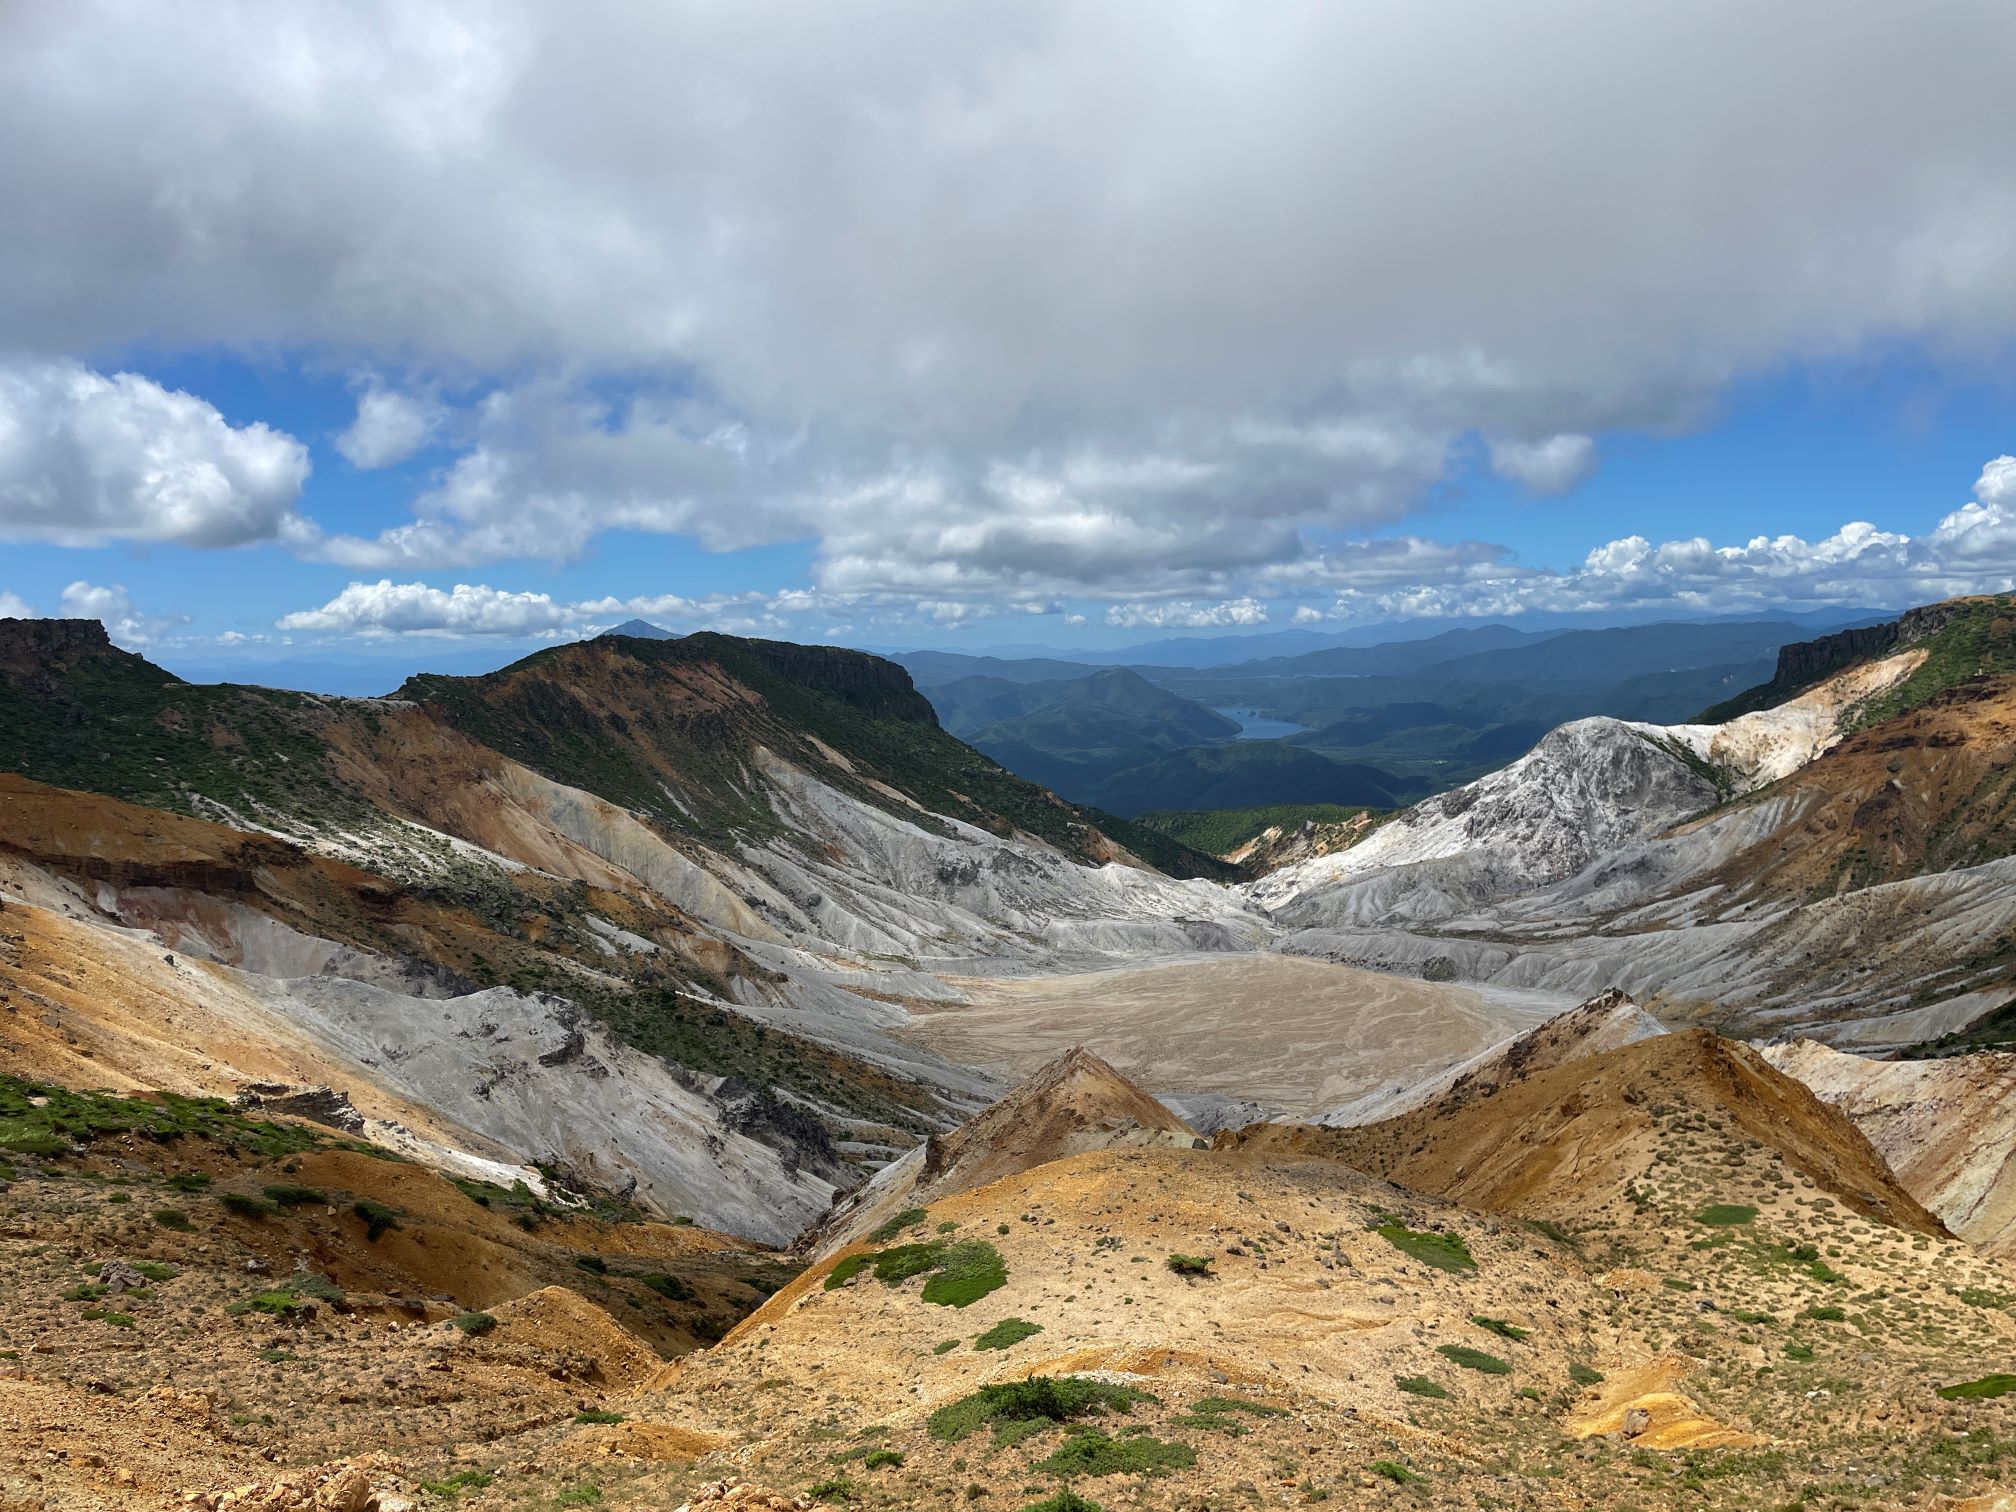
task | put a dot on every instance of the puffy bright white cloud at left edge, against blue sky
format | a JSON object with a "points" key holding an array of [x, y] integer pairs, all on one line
{"points": [[90, 459]]}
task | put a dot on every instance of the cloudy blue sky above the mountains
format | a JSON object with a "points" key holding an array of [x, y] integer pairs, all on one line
{"points": [[334, 328]]}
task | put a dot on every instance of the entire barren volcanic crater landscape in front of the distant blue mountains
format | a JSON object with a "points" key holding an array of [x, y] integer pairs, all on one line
{"points": [[678, 1072]]}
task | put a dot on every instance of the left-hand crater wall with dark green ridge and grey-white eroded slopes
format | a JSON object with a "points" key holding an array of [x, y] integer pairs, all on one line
{"points": [[658, 932]]}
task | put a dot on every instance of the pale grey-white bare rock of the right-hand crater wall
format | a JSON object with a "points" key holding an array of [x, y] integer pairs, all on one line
{"points": [[1594, 862]]}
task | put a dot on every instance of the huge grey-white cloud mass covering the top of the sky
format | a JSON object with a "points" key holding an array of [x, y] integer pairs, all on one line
{"points": [[878, 289]]}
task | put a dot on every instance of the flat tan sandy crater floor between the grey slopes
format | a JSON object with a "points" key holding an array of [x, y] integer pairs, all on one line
{"points": [[1285, 1031]]}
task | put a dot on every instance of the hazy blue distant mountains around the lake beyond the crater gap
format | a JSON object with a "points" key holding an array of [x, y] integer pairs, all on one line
{"points": [[1368, 725]]}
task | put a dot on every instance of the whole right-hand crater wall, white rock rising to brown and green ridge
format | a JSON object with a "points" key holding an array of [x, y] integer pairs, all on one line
{"points": [[1836, 866]]}
